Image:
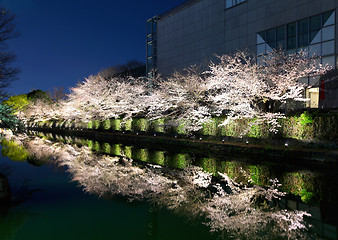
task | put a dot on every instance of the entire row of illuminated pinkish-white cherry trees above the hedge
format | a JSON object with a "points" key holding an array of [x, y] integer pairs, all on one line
{"points": [[238, 86]]}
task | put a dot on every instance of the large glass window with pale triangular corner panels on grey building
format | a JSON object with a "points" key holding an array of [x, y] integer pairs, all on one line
{"points": [[315, 34]]}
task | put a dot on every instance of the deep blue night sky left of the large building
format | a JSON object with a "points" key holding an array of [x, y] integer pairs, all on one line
{"points": [[63, 41]]}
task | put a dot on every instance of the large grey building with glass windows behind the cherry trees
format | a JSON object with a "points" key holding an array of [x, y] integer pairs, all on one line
{"points": [[197, 30]]}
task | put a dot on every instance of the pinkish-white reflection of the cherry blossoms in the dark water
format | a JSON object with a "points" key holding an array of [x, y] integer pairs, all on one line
{"points": [[227, 207]]}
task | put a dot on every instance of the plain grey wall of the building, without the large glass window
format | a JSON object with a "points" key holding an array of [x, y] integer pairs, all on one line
{"points": [[195, 33]]}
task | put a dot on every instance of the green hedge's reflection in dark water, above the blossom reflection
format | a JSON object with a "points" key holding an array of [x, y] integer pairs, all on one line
{"points": [[309, 187]]}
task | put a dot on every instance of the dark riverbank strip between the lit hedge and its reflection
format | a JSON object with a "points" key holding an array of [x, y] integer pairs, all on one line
{"points": [[289, 152]]}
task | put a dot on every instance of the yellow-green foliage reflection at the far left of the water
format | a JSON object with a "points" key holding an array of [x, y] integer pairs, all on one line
{"points": [[14, 151]]}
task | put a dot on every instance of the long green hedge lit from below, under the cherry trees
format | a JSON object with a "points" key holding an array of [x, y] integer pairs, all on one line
{"points": [[309, 130]]}
